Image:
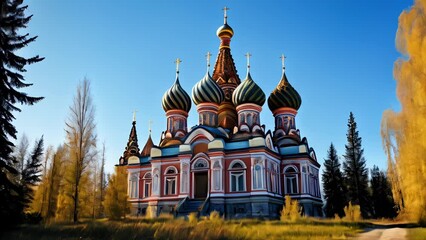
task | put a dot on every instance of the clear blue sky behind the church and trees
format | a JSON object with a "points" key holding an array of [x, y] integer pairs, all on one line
{"points": [[340, 56]]}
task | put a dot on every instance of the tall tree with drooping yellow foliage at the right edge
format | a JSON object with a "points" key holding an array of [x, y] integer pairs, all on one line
{"points": [[404, 132]]}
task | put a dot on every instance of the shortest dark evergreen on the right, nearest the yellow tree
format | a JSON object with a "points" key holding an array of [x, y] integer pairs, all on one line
{"points": [[382, 199]]}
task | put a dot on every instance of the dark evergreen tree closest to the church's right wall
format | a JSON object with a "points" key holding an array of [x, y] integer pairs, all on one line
{"points": [[332, 179]]}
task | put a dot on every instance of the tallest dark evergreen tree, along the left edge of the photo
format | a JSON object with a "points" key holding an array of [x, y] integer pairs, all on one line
{"points": [[12, 20]]}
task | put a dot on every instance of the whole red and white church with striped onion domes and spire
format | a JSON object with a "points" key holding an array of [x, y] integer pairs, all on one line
{"points": [[229, 162]]}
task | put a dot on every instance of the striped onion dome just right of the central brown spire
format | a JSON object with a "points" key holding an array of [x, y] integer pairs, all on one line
{"points": [[248, 92]]}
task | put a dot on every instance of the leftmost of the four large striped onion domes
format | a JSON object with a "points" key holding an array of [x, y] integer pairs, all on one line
{"points": [[176, 98]]}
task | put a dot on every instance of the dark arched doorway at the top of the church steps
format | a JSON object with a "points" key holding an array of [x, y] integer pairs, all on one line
{"points": [[200, 178]]}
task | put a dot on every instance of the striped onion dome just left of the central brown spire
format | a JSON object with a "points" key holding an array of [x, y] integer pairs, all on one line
{"points": [[207, 90]]}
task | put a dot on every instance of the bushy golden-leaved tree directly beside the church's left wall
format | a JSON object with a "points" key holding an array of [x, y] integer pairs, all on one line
{"points": [[116, 204]]}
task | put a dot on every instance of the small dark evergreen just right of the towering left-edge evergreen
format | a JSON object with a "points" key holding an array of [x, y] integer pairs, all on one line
{"points": [[31, 174]]}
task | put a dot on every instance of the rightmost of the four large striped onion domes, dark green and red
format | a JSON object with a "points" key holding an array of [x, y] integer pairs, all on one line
{"points": [[284, 95]]}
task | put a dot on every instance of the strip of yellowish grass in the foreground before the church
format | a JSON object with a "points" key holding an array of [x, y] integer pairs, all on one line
{"points": [[213, 228]]}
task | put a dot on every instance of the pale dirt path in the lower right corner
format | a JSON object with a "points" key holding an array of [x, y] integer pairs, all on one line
{"points": [[383, 234]]}
